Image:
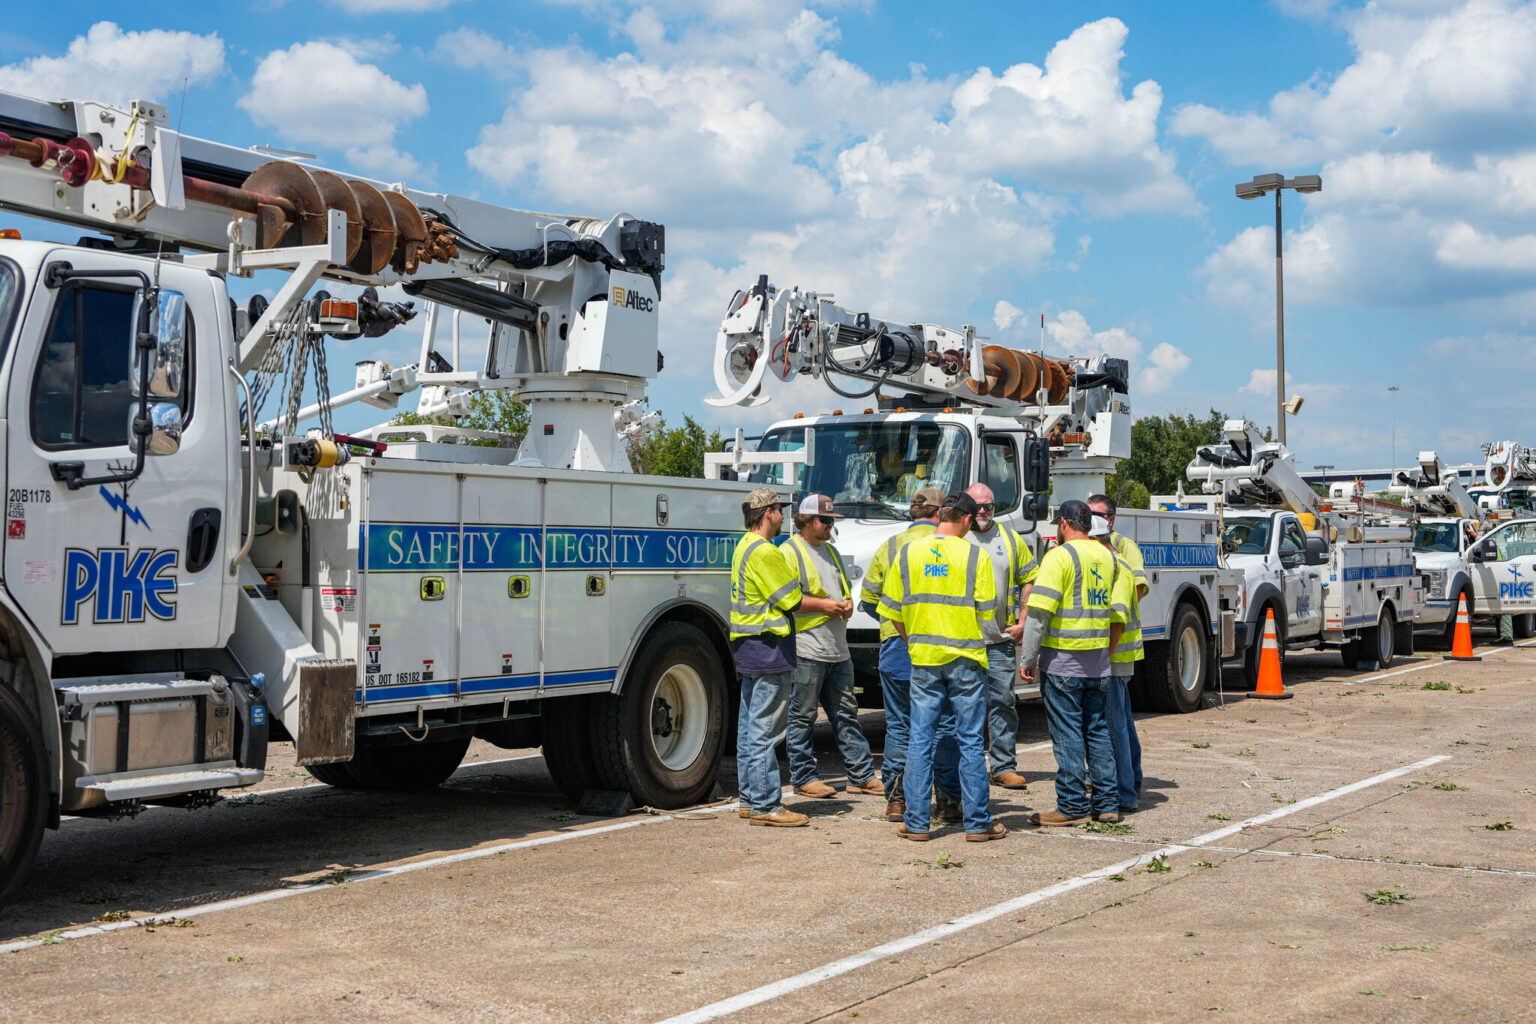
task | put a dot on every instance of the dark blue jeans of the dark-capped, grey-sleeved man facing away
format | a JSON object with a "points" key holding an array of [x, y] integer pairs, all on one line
{"points": [[1081, 733]]}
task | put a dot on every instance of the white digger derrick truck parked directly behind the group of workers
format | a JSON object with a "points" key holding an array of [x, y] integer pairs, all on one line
{"points": [[948, 412]]}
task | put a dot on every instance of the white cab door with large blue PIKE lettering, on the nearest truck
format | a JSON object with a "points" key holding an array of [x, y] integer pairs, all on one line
{"points": [[136, 564]]}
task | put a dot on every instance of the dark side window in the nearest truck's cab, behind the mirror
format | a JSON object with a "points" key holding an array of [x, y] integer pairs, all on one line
{"points": [[82, 395]]}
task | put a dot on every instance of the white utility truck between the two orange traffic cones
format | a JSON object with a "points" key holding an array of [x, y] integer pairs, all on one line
{"points": [[1332, 580]]}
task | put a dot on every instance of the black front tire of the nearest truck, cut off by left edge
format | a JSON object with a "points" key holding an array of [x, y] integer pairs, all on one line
{"points": [[24, 791]]}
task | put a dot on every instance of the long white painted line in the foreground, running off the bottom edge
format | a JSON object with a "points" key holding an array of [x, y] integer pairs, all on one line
{"points": [[786, 986]]}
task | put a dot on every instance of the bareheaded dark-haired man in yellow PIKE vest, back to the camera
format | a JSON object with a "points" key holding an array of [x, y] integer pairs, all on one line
{"points": [[938, 593]]}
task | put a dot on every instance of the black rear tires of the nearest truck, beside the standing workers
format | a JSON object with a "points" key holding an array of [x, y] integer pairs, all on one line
{"points": [[664, 735]]}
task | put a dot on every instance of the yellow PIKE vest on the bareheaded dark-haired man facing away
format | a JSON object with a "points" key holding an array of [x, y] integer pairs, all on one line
{"points": [[939, 592]]}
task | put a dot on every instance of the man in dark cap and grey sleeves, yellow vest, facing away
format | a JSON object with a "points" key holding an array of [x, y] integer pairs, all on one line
{"points": [[1070, 629]]}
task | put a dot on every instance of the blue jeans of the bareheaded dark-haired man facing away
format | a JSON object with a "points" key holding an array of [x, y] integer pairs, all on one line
{"points": [[958, 684]]}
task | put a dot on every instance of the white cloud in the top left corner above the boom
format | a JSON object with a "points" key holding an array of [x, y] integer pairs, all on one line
{"points": [[116, 67]]}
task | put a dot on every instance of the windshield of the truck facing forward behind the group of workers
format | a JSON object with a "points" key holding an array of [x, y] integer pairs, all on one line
{"points": [[875, 469]]}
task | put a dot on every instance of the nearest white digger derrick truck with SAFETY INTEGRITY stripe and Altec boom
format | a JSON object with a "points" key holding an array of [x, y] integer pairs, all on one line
{"points": [[182, 587]]}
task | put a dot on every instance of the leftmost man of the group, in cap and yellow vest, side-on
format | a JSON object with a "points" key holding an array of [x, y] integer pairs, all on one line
{"points": [[766, 595]]}
